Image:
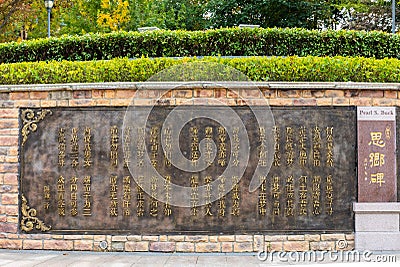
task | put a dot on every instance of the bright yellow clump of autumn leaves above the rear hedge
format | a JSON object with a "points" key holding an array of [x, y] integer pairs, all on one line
{"points": [[113, 14]]}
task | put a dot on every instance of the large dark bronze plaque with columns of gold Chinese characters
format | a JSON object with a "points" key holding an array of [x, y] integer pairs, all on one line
{"points": [[90, 170]]}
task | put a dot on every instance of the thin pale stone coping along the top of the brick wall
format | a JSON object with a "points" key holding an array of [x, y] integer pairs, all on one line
{"points": [[202, 85]]}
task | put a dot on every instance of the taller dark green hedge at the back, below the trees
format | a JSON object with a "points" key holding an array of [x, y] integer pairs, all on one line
{"points": [[220, 42]]}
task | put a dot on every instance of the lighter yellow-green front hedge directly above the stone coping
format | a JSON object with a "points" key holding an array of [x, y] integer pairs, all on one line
{"points": [[327, 69]]}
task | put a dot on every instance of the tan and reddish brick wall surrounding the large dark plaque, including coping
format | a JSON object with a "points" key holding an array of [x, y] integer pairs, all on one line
{"points": [[120, 94]]}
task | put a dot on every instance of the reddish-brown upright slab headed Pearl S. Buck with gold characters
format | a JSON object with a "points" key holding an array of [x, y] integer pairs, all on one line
{"points": [[377, 179]]}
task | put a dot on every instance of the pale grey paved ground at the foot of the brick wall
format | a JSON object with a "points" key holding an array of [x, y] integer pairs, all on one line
{"points": [[82, 259]]}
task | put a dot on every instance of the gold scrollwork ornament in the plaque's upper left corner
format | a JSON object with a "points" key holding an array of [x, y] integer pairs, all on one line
{"points": [[30, 119]]}
